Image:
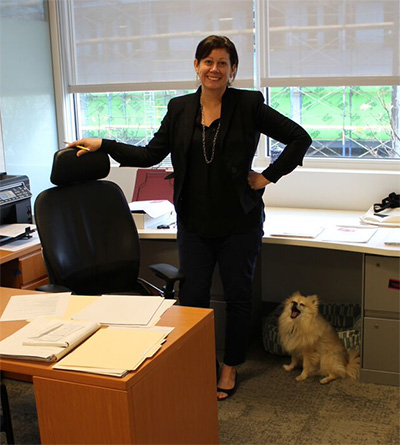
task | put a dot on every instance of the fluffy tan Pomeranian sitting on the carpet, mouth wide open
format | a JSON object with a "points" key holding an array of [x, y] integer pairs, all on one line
{"points": [[313, 343]]}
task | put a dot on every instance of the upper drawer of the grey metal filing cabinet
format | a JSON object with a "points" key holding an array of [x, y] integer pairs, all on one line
{"points": [[382, 275]]}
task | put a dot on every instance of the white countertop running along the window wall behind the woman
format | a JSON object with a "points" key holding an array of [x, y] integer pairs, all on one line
{"points": [[276, 215]]}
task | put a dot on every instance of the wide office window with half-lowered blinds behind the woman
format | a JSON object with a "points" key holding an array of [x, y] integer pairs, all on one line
{"points": [[331, 65]]}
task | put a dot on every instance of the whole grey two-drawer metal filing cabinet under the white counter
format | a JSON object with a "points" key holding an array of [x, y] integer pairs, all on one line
{"points": [[381, 323]]}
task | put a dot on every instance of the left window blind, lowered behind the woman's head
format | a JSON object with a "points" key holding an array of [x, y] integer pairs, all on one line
{"points": [[120, 45]]}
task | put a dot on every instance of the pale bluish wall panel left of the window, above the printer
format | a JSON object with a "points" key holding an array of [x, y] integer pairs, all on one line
{"points": [[27, 100]]}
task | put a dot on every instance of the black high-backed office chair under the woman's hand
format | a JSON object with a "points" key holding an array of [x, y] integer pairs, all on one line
{"points": [[89, 238]]}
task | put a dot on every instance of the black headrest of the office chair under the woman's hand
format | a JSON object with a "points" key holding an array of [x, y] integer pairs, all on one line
{"points": [[68, 168]]}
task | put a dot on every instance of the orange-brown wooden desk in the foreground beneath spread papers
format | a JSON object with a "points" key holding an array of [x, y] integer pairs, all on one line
{"points": [[170, 399]]}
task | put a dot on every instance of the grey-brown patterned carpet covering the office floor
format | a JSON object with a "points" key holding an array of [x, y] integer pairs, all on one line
{"points": [[270, 407]]}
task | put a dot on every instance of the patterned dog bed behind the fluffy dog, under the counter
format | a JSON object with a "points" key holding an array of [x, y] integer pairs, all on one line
{"points": [[345, 318]]}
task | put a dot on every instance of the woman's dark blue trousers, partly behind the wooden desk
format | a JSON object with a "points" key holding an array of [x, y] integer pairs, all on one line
{"points": [[236, 256]]}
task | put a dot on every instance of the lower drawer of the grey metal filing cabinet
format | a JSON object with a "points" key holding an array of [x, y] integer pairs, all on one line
{"points": [[381, 344]]}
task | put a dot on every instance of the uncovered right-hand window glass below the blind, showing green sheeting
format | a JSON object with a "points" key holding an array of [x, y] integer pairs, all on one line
{"points": [[344, 122]]}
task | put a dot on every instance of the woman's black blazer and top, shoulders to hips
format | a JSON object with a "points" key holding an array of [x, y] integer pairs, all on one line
{"points": [[224, 190]]}
